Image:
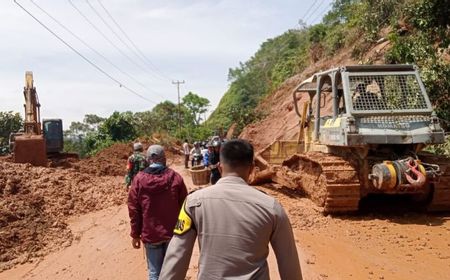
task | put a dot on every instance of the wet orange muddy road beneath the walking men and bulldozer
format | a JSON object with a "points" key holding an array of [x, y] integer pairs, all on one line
{"points": [[404, 245]]}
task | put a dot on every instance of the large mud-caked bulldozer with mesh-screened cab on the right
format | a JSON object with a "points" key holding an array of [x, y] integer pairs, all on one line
{"points": [[362, 131]]}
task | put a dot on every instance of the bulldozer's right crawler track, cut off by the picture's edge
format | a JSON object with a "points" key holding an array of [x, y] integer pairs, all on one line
{"points": [[441, 191]]}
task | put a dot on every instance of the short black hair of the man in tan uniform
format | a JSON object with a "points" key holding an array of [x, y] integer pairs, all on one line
{"points": [[237, 153]]}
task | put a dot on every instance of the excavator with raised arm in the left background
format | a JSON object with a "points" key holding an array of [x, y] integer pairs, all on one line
{"points": [[37, 141]]}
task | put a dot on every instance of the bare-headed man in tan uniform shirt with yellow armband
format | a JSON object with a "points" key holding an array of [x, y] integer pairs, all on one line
{"points": [[234, 224]]}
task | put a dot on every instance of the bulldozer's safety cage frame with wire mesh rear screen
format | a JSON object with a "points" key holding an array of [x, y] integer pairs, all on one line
{"points": [[390, 96]]}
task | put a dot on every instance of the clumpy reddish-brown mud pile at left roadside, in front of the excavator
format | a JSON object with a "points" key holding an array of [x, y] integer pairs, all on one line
{"points": [[35, 203]]}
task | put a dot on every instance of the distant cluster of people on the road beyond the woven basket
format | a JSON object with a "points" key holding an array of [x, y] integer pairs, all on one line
{"points": [[207, 155]]}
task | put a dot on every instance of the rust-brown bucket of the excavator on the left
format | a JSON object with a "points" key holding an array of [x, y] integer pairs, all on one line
{"points": [[30, 149]]}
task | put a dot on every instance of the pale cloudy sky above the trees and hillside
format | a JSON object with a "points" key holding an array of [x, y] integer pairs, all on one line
{"points": [[195, 41]]}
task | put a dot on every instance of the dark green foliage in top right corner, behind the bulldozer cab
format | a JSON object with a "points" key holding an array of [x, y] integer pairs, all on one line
{"points": [[427, 22]]}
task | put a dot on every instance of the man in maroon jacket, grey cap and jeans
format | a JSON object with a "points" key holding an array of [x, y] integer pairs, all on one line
{"points": [[154, 201]]}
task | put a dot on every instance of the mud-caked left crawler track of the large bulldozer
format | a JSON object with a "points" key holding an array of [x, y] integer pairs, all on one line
{"points": [[330, 181]]}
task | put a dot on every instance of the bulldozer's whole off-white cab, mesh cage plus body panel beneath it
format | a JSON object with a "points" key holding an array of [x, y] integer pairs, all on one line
{"points": [[358, 106]]}
